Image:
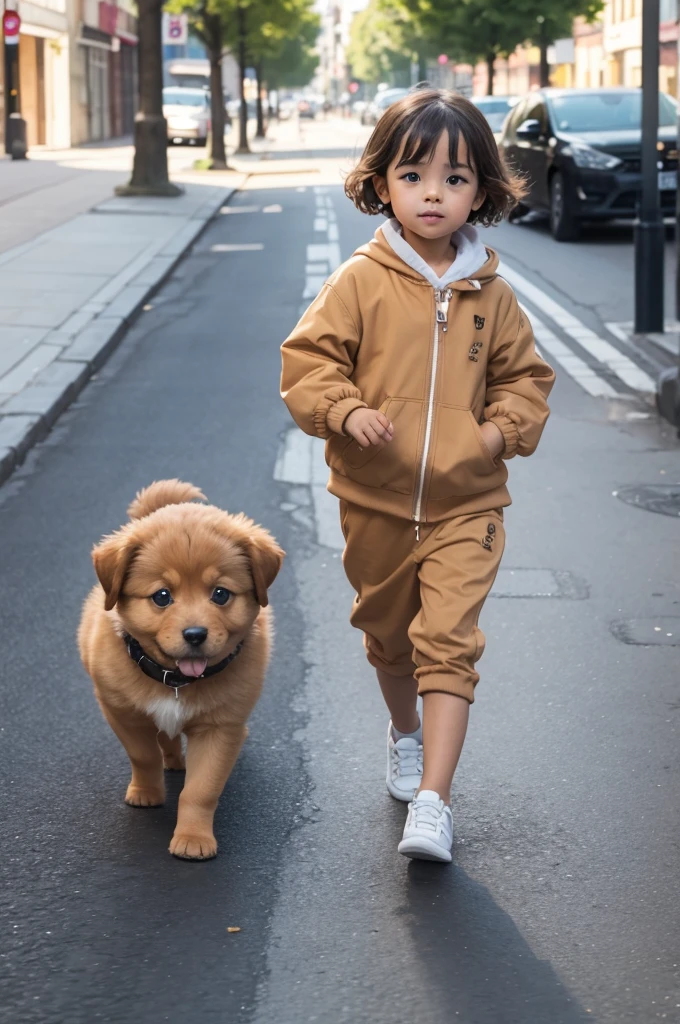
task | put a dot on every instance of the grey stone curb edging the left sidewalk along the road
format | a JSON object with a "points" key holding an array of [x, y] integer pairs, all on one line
{"points": [[31, 414]]}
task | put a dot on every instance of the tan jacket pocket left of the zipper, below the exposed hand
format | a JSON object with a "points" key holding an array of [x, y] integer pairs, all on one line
{"points": [[394, 466]]}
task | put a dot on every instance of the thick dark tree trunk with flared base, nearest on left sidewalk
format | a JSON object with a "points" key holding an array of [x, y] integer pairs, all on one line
{"points": [[150, 172]]}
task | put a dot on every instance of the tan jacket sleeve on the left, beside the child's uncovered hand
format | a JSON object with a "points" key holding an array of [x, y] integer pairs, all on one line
{"points": [[318, 364]]}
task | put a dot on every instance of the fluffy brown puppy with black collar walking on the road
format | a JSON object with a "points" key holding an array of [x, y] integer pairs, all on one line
{"points": [[178, 641]]}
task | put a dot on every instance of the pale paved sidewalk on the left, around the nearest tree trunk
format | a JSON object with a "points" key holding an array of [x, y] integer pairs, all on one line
{"points": [[68, 293]]}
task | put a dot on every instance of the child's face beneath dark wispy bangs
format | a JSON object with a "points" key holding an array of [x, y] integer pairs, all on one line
{"points": [[433, 199]]}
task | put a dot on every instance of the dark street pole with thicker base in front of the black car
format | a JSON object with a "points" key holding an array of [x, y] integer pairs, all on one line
{"points": [[649, 232]]}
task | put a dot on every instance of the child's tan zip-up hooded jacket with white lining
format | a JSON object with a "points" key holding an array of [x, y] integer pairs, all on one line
{"points": [[438, 357]]}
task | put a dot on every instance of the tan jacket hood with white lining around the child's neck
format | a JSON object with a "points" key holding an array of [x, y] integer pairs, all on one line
{"points": [[474, 266]]}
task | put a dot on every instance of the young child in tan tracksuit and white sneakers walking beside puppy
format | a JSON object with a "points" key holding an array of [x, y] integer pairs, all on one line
{"points": [[418, 367]]}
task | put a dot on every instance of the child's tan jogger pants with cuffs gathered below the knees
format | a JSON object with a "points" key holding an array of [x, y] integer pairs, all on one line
{"points": [[418, 602]]}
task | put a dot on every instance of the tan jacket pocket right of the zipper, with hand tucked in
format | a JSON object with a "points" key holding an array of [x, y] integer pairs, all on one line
{"points": [[461, 462]]}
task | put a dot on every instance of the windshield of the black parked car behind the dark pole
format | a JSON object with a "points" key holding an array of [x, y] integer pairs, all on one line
{"points": [[607, 112]]}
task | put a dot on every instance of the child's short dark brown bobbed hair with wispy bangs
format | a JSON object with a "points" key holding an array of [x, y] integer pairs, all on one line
{"points": [[418, 122]]}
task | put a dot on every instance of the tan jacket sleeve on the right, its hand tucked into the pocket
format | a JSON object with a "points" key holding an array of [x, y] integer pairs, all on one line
{"points": [[519, 383]]}
